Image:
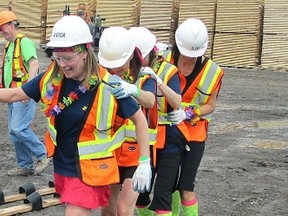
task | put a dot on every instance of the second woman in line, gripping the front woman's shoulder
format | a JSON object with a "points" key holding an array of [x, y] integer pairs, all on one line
{"points": [[118, 54]]}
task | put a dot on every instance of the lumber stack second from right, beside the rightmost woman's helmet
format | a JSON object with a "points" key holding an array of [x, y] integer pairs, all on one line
{"points": [[237, 33]]}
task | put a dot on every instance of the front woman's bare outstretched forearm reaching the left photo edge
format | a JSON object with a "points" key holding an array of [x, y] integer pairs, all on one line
{"points": [[12, 95]]}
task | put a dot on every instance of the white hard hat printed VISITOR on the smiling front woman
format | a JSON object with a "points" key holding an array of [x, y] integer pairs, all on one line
{"points": [[70, 31]]}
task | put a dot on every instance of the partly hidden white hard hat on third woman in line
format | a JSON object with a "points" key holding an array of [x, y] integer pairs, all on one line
{"points": [[144, 39]]}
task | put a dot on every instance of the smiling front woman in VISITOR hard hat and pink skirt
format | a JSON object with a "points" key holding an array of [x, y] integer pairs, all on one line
{"points": [[81, 116]]}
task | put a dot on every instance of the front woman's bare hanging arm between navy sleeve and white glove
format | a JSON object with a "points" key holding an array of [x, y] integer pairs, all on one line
{"points": [[142, 135]]}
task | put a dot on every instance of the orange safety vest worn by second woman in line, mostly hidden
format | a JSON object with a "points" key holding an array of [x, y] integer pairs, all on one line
{"points": [[128, 154]]}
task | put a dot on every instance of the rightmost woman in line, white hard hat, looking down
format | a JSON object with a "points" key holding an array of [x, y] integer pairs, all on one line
{"points": [[201, 80]]}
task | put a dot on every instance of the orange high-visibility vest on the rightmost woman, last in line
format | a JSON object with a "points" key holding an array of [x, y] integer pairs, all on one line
{"points": [[198, 94]]}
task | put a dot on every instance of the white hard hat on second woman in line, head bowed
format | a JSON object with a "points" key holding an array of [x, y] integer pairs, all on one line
{"points": [[115, 47]]}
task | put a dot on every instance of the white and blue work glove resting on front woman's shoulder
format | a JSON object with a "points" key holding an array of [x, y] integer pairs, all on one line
{"points": [[123, 89]]}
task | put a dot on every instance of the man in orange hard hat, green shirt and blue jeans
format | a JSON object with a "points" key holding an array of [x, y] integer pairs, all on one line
{"points": [[20, 65]]}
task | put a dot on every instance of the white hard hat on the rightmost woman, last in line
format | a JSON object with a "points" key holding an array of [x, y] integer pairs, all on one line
{"points": [[192, 38]]}
